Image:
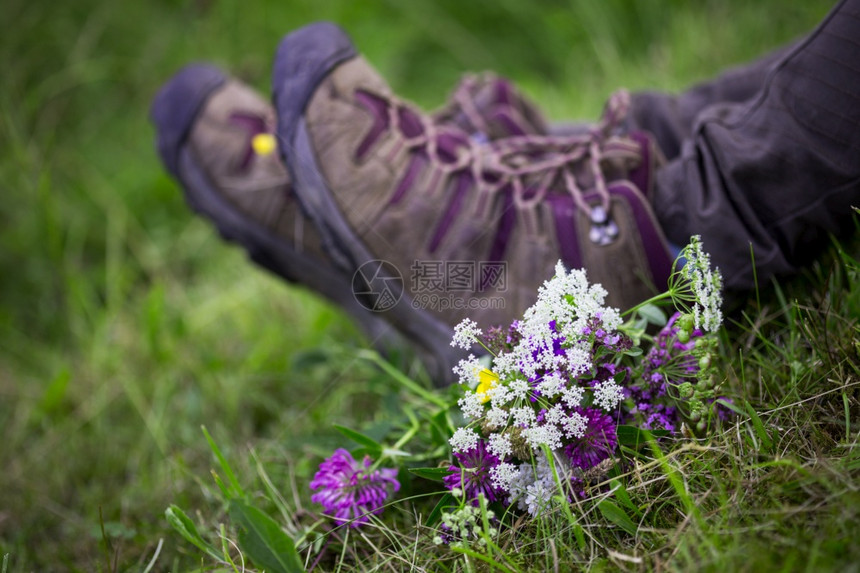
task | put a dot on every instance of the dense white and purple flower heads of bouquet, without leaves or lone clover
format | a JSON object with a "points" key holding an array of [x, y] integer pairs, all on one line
{"points": [[544, 416]]}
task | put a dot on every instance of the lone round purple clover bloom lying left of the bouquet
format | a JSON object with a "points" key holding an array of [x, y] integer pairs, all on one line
{"points": [[349, 491]]}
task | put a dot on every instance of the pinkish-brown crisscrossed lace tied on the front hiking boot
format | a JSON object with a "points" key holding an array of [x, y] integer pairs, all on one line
{"points": [[533, 166]]}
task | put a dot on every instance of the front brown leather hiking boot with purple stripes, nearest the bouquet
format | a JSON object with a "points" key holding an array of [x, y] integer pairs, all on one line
{"points": [[439, 225]]}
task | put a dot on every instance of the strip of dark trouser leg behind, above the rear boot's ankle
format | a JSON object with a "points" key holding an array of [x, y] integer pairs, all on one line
{"points": [[670, 117]]}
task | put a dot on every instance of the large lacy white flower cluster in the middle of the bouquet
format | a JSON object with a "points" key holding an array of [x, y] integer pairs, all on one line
{"points": [[535, 393]]}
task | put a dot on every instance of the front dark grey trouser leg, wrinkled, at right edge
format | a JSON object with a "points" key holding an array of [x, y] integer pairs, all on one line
{"points": [[780, 171]]}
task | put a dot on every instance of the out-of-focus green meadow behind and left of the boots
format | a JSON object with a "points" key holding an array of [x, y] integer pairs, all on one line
{"points": [[125, 323]]}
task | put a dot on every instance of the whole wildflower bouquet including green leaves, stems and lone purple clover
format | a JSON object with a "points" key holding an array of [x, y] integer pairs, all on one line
{"points": [[546, 411]]}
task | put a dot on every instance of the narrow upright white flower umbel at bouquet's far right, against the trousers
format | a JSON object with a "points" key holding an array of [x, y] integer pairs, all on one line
{"points": [[707, 285]]}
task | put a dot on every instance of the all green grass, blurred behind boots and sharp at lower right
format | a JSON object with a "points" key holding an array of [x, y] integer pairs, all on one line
{"points": [[125, 324]]}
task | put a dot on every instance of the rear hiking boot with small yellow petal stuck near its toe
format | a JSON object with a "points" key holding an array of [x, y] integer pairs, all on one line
{"points": [[215, 137]]}
